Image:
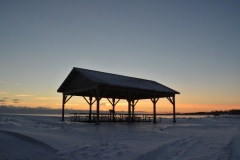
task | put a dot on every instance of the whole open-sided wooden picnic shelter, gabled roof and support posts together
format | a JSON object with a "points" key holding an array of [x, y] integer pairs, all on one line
{"points": [[97, 85]]}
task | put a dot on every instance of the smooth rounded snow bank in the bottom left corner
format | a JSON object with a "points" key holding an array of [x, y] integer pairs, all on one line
{"points": [[15, 146]]}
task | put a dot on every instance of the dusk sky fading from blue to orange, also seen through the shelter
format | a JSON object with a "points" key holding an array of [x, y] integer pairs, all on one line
{"points": [[190, 46]]}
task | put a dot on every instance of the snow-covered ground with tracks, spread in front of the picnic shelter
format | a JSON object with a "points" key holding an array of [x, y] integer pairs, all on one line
{"points": [[29, 137]]}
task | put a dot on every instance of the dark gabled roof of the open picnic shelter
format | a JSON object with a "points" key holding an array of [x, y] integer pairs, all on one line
{"points": [[80, 80]]}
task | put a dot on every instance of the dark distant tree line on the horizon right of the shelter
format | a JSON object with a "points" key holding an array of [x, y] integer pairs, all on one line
{"points": [[216, 113]]}
